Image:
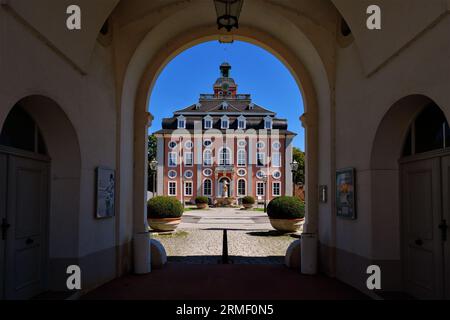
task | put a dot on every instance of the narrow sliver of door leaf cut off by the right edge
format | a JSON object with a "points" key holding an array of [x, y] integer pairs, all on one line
{"points": [[444, 228]]}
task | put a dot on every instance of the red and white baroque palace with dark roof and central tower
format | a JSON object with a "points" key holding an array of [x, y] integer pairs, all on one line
{"points": [[224, 146]]}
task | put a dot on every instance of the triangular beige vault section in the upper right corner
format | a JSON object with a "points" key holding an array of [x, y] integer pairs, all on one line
{"points": [[402, 23]]}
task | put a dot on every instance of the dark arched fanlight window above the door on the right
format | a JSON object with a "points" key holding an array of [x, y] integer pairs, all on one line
{"points": [[428, 132]]}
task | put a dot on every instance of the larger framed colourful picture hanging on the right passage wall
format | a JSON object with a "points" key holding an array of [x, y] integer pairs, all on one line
{"points": [[346, 193]]}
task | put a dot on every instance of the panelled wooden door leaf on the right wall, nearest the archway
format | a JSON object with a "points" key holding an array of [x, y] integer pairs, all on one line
{"points": [[422, 244]]}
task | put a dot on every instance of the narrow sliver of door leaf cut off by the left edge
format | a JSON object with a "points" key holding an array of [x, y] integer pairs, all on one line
{"points": [[3, 222]]}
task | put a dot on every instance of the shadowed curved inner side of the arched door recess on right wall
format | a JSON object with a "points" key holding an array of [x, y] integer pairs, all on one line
{"points": [[385, 188]]}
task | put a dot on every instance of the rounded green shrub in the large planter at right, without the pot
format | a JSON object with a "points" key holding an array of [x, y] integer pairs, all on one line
{"points": [[286, 208]]}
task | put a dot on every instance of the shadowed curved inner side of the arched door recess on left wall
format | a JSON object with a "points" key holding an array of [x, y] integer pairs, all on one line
{"points": [[62, 227]]}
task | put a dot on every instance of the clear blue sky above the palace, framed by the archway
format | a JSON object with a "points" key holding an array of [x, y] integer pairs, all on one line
{"points": [[255, 70]]}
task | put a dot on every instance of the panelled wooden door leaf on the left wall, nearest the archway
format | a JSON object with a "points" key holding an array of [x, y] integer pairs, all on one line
{"points": [[26, 241]]}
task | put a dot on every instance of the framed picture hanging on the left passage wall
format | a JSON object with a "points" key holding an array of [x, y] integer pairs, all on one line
{"points": [[105, 192]]}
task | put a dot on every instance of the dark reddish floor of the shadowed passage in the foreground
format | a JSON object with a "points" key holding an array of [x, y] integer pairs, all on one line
{"points": [[224, 282]]}
